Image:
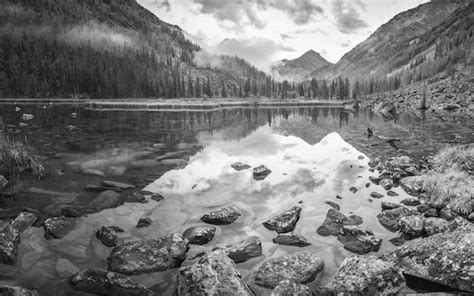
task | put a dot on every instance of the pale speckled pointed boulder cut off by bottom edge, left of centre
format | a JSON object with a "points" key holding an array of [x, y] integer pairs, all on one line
{"points": [[214, 274]]}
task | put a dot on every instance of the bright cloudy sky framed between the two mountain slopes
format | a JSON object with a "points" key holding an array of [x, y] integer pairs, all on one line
{"points": [[263, 31]]}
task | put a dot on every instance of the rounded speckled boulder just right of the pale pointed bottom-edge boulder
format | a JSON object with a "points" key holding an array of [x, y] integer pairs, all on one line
{"points": [[301, 267]]}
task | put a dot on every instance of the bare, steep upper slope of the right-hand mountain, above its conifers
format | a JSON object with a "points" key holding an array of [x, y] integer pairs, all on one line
{"points": [[395, 44]]}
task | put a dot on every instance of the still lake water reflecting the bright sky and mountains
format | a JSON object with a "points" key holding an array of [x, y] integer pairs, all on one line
{"points": [[313, 154]]}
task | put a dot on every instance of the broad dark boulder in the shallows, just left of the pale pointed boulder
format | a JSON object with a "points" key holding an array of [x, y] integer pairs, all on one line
{"points": [[148, 255]]}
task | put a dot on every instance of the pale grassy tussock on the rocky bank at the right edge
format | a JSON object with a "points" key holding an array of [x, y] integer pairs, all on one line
{"points": [[449, 183]]}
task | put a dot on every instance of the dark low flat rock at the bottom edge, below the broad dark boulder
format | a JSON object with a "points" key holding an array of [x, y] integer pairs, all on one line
{"points": [[100, 281]]}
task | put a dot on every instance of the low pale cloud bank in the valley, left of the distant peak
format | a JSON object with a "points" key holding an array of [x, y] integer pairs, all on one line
{"points": [[258, 51]]}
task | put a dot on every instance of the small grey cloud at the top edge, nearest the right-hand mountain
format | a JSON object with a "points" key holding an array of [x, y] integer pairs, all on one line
{"points": [[347, 18]]}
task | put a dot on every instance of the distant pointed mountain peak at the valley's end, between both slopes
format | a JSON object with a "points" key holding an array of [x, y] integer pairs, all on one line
{"points": [[298, 68]]}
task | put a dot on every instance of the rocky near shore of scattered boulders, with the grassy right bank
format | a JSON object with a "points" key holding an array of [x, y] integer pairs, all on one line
{"points": [[435, 227]]}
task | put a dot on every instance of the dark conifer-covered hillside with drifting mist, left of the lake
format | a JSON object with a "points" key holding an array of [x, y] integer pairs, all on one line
{"points": [[107, 48]]}
